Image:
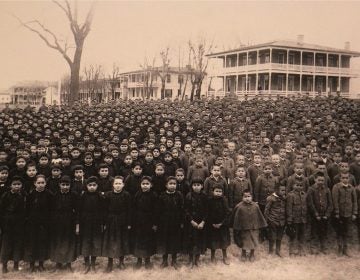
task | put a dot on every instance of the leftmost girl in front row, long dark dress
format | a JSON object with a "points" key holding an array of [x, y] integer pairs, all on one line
{"points": [[12, 212]]}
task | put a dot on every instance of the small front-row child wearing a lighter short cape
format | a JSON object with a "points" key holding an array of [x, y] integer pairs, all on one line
{"points": [[247, 221]]}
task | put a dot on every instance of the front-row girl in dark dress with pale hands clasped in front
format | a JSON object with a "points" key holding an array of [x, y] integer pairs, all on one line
{"points": [[196, 214]]}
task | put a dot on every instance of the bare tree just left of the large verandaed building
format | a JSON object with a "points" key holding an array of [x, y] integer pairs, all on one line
{"points": [[199, 64]]}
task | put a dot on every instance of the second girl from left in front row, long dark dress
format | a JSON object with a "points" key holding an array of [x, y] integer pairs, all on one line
{"points": [[38, 208]]}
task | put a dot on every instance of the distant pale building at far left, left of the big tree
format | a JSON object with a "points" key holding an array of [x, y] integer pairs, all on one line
{"points": [[35, 93]]}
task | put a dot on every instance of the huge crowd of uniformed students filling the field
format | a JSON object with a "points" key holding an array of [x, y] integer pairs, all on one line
{"points": [[145, 178]]}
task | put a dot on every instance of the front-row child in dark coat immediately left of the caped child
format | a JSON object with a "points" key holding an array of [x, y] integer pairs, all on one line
{"points": [[218, 234]]}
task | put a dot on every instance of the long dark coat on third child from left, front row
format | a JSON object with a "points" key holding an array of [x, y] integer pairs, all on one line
{"points": [[63, 227]]}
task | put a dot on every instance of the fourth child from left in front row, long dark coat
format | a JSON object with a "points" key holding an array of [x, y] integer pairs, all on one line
{"points": [[91, 218]]}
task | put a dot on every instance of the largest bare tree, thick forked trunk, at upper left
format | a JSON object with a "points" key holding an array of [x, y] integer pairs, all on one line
{"points": [[79, 30]]}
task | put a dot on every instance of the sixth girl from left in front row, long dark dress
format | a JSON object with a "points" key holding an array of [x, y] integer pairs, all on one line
{"points": [[145, 211]]}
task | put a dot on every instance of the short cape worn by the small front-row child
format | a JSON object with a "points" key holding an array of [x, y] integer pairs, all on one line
{"points": [[247, 216]]}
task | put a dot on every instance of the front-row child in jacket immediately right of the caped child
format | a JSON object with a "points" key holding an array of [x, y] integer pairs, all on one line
{"points": [[275, 216]]}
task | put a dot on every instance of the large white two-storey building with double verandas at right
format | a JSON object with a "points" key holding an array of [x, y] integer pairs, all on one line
{"points": [[283, 68]]}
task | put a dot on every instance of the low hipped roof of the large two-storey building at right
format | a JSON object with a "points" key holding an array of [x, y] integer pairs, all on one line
{"points": [[289, 44]]}
